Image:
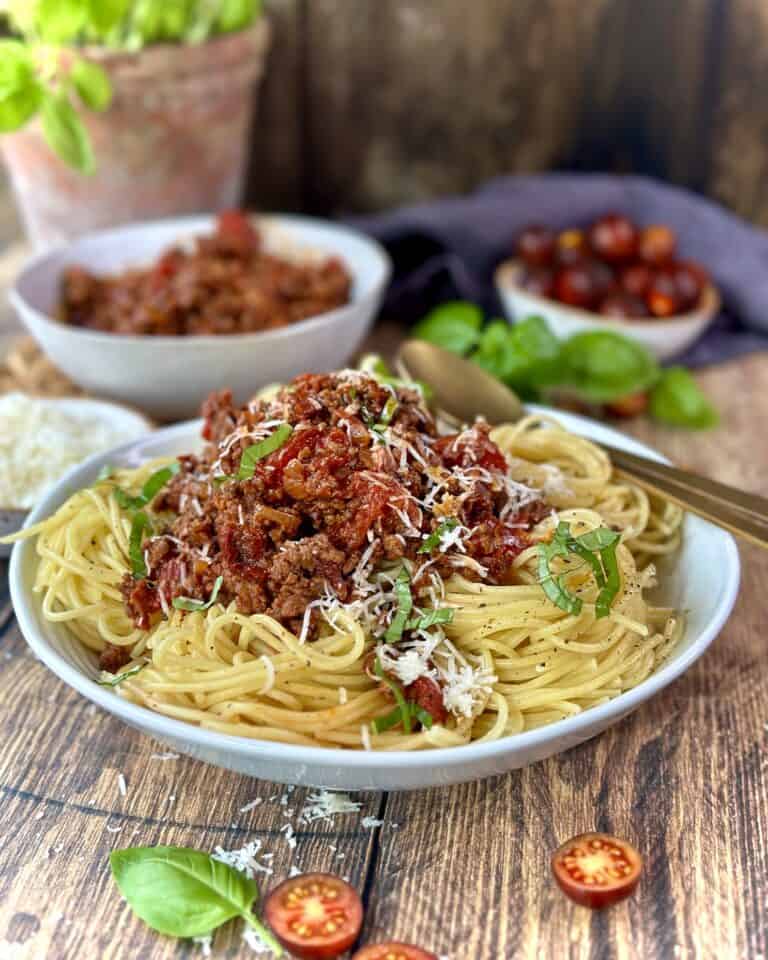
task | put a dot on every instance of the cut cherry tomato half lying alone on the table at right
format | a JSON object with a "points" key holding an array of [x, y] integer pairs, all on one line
{"points": [[596, 870]]}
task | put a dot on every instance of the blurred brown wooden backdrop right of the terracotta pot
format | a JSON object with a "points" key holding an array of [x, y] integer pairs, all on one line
{"points": [[370, 103]]}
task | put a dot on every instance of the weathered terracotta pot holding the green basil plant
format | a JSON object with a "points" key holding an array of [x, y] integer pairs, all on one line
{"points": [[173, 141]]}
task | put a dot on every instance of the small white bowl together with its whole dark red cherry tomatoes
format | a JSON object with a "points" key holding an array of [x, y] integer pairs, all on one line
{"points": [[612, 274]]}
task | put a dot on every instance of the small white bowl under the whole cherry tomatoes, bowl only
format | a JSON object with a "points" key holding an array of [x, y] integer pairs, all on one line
{"points": [[665, 338]]}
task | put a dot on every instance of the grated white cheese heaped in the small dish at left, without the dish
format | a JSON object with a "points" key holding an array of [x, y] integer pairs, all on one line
{"points": [[40, 440]]}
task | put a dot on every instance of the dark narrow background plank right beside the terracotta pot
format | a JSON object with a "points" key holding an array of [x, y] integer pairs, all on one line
{"points": [[275, 173]]}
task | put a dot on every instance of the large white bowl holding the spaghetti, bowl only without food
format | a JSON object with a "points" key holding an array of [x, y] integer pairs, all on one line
{"points": [[703, 581]]}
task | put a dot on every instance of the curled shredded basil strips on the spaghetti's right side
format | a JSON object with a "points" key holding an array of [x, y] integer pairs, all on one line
{"points": [[598, 549]]}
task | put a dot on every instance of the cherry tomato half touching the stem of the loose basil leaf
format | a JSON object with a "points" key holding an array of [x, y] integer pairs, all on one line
{"points": [[315, 916]]}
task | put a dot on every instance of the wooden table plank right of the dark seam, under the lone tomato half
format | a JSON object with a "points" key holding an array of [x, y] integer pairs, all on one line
{"points": [[684, 778]]}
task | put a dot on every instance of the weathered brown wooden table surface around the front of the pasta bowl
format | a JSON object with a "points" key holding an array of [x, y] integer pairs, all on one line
{"points": [[462, 870]]}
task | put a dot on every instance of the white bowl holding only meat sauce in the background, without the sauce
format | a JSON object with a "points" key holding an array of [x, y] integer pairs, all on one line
{"points": [[169, 377]]}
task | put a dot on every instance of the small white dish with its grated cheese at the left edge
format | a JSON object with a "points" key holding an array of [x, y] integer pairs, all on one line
{"points": [[43, 437]]}
